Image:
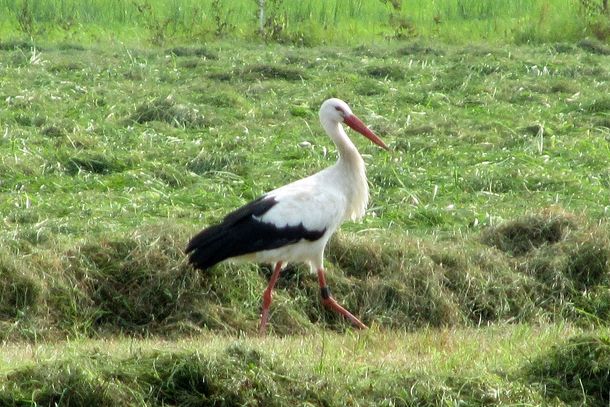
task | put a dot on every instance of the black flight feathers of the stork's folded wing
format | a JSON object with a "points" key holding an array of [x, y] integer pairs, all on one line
{"points": [[240, 233]]}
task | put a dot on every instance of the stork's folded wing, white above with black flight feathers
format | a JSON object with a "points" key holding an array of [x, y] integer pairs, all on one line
{"points": [[303, 210]]}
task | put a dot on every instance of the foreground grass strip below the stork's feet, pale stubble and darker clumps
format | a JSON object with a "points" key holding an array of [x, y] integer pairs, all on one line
{"points": [[492, 366]]}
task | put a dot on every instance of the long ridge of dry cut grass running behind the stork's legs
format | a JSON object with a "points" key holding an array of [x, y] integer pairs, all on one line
{"points": [[141, 284]]}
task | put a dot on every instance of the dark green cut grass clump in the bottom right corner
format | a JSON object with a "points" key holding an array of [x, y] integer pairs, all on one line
{"points": [[575, 372]]}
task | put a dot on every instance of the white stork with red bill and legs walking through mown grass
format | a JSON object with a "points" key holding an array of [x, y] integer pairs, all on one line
{"points": [[293, 223]]}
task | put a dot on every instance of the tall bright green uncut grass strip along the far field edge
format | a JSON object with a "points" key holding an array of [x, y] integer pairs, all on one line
{"points": [[307, 23]]}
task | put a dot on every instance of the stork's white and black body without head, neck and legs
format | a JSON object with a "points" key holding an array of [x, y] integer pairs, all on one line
{"points": [[303, 216]]}
